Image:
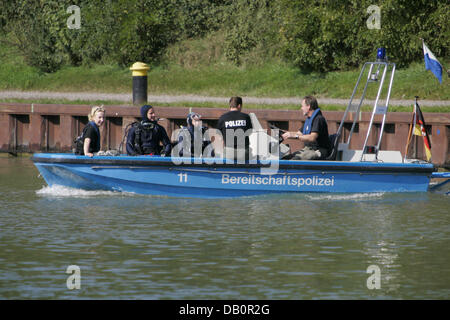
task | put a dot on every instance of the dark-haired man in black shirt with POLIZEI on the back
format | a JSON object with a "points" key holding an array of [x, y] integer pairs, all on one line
{"points": [[237, 123]]}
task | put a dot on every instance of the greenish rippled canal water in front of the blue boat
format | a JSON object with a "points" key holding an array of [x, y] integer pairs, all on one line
{"points": [[127, 246]]}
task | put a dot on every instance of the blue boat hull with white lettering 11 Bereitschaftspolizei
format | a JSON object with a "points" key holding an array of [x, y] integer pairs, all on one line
{"points": [[186, 177]]}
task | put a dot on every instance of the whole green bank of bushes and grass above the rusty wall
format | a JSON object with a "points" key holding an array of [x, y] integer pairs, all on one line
{"points": [[219, 49]]}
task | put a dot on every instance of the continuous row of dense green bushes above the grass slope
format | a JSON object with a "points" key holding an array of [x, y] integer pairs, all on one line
{"points": [[314, 35]]}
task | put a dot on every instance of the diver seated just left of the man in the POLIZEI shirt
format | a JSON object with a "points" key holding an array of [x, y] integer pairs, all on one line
{"points": [[192, 139]]}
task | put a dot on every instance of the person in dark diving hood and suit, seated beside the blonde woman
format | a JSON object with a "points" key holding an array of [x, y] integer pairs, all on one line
{"points": [[145, 137]]}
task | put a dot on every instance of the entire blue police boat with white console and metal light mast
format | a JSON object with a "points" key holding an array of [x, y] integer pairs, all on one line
{"points": [[345, 171]]}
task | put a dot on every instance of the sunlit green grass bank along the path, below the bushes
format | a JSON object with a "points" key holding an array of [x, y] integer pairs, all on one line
{"points": [[190, 70]]}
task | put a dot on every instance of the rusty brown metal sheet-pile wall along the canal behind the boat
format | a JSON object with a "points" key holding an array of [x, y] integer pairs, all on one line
{"points": [[53, 127]]}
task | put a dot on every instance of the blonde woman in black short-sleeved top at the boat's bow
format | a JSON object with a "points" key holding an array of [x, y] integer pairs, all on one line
{"points": [[91, 134]]}
